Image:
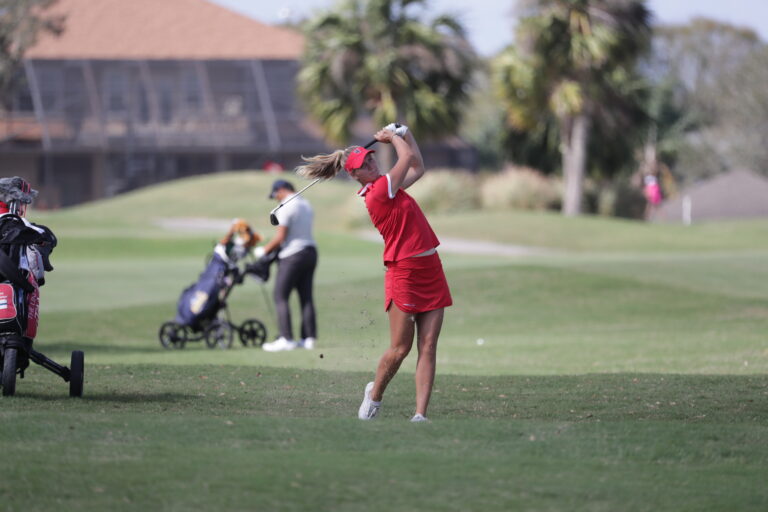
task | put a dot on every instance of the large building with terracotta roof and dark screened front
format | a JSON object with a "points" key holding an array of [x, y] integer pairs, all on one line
{"points": [[136, 92]]}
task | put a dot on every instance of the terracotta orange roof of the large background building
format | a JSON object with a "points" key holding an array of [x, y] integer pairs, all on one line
{"points": [[163, 29]]}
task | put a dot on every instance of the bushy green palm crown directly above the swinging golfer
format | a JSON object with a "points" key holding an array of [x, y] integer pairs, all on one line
{"points": [[377, 58]]}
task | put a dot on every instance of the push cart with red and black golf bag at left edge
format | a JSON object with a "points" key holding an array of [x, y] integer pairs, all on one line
{"points": [[25, 250]]}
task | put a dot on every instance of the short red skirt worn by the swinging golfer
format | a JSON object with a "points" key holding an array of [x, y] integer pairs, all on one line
{"points": [[416, 285]]}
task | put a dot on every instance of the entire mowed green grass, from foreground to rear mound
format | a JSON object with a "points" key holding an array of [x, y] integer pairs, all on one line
{"points": [[622, 369]]}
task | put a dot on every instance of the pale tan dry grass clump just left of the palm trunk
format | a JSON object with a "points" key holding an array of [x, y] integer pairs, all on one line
{"points": [[521, 188]]}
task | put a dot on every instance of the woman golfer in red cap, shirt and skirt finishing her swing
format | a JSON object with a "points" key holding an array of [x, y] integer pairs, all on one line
{"points": [[415, 288]]}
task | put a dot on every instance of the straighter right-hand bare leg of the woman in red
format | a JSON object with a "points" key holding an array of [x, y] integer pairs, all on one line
{"points": [[428, 325]]}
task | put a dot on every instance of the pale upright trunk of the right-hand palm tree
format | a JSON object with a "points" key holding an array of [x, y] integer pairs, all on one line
{"points": [[574, 152]]}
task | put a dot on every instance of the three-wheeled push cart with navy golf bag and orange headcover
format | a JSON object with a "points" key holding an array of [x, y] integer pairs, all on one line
{"points": [[202, 312]]}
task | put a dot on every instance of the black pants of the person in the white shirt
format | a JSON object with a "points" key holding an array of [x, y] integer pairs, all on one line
{"points": [[296, 272]]}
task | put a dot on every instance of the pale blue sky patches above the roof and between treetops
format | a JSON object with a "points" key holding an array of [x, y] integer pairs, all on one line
{"points": [[490, 22]]}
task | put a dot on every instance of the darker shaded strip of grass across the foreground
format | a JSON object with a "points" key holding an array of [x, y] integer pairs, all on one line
{"points": [[263, 438]]}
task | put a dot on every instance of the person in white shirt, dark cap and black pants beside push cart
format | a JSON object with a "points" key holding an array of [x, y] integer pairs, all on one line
{"points": [[297, 261]]}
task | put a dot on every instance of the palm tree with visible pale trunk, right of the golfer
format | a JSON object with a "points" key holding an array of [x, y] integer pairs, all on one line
{"points": [[574, 61]]}
